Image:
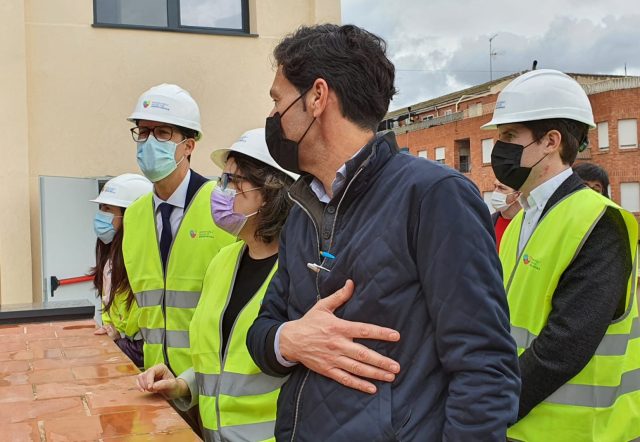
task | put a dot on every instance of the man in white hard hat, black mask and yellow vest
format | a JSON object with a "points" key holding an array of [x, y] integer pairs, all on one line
{"points": [[569, 271]]}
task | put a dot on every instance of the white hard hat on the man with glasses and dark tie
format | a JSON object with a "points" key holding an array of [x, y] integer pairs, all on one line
{"points": [[168, 103]]}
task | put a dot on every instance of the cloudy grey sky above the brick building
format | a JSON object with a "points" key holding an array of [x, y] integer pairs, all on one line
{"points": [[441, 46]]}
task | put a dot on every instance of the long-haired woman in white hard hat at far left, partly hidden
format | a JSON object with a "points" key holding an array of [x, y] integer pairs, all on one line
{"points": [[119, 311]]}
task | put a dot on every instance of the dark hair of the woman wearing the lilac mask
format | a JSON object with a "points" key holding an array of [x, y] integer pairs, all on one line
{"points": [[274, 186]]}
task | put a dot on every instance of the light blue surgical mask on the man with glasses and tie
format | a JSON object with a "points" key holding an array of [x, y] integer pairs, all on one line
{"points": [[157, 158]]}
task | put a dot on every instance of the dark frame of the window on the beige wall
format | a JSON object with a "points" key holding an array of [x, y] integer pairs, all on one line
{"points": [[173, 22]]}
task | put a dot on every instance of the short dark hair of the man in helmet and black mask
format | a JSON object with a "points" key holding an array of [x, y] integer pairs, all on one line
{"points": [[574, 134]]}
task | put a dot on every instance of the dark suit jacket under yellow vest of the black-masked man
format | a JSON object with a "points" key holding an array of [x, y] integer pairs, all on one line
{"points": [[590, 294]]}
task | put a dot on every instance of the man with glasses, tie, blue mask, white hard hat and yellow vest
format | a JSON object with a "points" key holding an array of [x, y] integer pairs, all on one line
{"points": [[170, 236]]}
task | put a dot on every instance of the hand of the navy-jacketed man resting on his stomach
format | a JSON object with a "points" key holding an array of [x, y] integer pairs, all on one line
{"points": [[324, 343]]}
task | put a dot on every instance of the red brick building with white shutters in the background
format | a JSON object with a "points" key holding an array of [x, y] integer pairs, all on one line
{"points": [[447, 129]]}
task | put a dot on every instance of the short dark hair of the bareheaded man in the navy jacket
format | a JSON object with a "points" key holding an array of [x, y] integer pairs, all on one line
{"points": [[350, 59]]}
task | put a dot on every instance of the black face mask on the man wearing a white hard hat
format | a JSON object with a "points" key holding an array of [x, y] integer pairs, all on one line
{"points": [[505, 162]]}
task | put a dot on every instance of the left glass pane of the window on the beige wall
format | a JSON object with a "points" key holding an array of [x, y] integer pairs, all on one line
{"points": [[128, 12]]}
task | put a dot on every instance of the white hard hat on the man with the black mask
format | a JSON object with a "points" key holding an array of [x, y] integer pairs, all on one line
{"points": [[540, 95]]}
